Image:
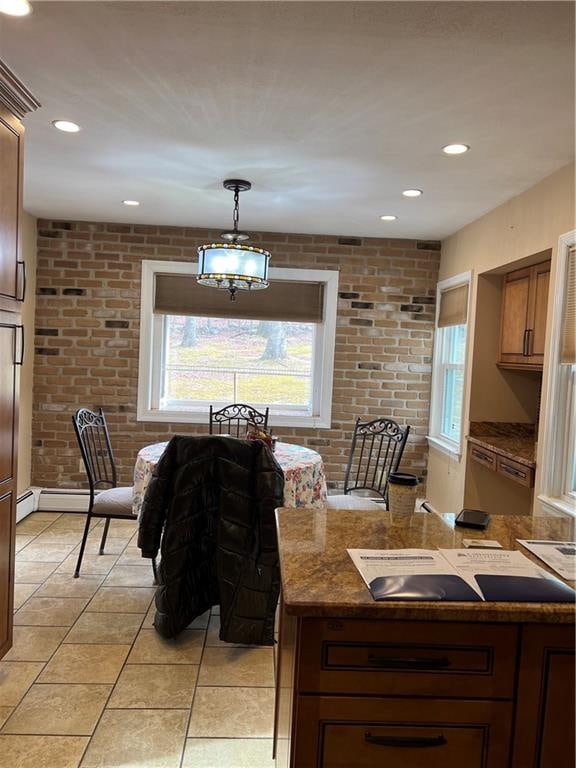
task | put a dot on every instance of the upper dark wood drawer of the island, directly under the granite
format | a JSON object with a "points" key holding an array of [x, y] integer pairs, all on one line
{"points": [[407, 658]]}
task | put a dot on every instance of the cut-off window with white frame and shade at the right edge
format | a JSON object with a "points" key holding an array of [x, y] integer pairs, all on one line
{"points": [[559, 450]]}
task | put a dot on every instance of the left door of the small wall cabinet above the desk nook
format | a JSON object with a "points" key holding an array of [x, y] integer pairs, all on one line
{"points": [[515, 306]]}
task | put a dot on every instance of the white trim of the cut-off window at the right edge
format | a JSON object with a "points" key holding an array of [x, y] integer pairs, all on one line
{"points": [[557, 422]]}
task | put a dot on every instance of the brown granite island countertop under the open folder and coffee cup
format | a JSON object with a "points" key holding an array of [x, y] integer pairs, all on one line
{"points": [[320, 580]]}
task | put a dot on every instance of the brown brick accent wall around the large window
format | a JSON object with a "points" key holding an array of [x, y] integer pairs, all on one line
{"points": [[87, 333]]}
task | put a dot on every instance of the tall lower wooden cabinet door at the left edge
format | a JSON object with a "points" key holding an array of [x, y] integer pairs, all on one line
{"points": [[8, 422]]}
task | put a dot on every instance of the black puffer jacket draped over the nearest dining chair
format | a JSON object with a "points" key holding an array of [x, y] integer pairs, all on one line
{"points": [[211, 500]]}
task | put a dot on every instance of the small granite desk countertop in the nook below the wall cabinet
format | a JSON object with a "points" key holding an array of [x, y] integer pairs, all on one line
{"points": [[511, 440]]}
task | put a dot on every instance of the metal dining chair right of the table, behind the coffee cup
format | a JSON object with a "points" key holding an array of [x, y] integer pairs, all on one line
{"points": [[375, 453]]}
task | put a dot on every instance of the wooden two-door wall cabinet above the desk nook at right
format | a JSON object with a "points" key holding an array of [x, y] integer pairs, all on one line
{"points": [[523, 327]]}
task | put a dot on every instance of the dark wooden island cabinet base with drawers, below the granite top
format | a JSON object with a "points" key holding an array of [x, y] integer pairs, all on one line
{"points": [[373, 693]]}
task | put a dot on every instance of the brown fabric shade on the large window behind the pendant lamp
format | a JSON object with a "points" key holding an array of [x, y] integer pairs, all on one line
{"points": [[298, 302]]}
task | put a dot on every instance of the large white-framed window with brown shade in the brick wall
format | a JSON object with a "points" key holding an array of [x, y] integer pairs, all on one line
{"points": [[268, 348]]}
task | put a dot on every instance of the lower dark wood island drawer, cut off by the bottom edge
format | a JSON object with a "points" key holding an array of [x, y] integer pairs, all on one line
{"points": [[372, 733]]}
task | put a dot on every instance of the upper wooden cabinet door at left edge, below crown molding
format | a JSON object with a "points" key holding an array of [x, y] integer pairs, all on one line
{"points": [[10, 181]]}
